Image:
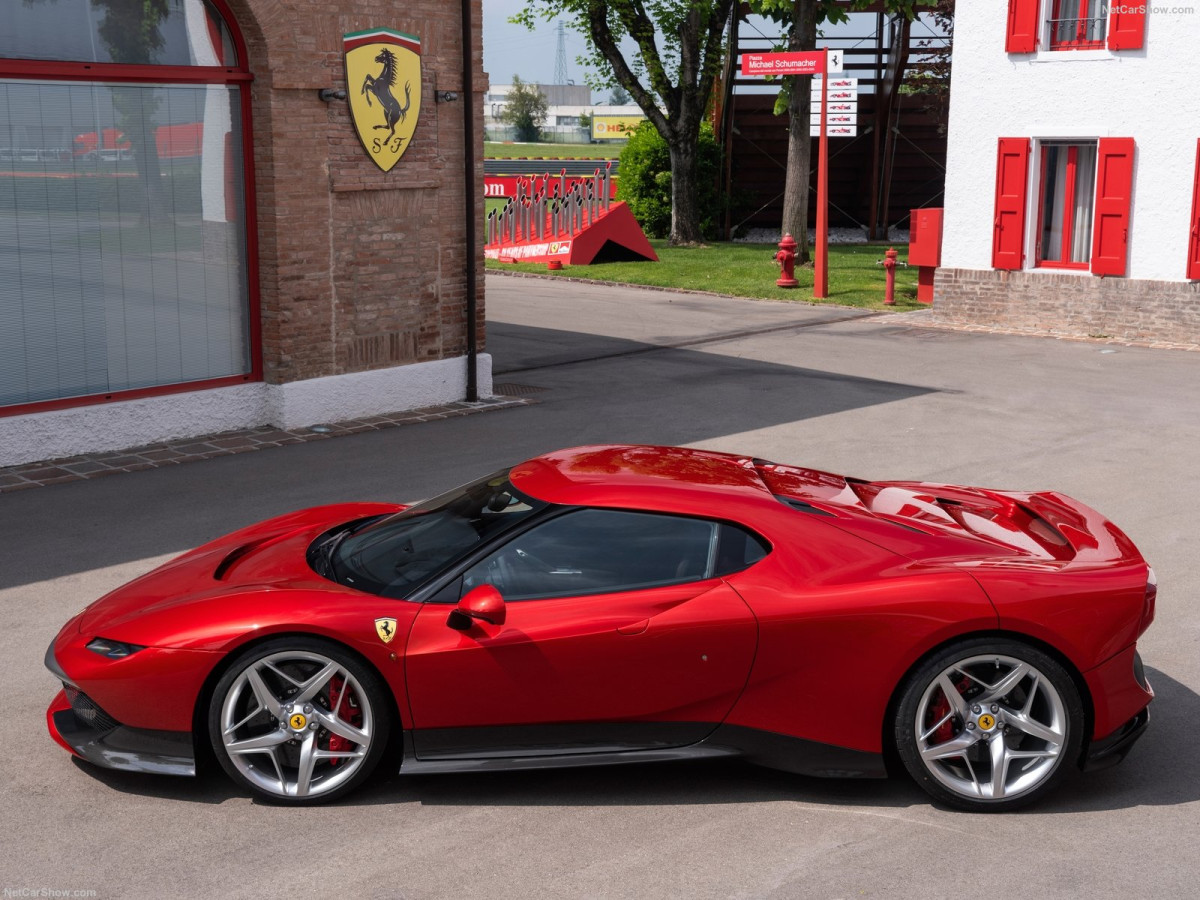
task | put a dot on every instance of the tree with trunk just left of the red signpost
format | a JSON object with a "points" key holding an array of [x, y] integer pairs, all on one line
{"points": [[801, 20]]}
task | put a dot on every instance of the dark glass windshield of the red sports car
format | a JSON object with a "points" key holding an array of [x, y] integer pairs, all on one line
{"points": [[400, 553]]}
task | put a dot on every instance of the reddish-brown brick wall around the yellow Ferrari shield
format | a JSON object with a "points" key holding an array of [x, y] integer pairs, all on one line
{"points": [[358, 269]]}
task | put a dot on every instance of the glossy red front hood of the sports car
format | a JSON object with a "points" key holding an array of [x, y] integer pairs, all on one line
{"points": [[266, 557]]}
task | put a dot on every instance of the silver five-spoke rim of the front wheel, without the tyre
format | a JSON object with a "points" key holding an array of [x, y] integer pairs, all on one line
{"points": [[297, 724]]}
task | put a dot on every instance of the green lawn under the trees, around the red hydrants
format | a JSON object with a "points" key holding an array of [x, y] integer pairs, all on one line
{"points": [[748, 271]]}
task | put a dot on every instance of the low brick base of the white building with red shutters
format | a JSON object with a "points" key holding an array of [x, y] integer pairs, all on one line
{"points": [[1132, 310]]}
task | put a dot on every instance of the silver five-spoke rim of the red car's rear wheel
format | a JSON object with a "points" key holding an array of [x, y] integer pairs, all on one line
{"points": [[992, 728]]}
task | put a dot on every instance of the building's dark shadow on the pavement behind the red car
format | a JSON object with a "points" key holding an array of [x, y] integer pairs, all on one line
{"points": [[649, 395]]}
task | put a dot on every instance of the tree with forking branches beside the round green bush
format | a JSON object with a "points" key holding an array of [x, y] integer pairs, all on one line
{"points": [[680, 55]]}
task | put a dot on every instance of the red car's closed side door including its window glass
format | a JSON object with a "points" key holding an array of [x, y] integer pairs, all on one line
{"points": [[619, 634]]}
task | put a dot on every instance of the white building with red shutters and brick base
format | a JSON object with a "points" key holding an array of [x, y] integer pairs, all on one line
{"points": [[1072, 195]]}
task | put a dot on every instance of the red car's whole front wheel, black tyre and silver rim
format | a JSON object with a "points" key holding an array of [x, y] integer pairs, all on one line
{"points": [[299, 721]]}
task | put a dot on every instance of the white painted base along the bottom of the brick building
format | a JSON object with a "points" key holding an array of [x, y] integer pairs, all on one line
{"points": [[116, 427]]}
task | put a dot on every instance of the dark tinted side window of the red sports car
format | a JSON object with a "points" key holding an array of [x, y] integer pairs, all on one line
{"points": [[597, 551]]}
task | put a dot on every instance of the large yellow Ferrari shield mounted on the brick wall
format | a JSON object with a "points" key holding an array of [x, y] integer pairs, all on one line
{"points": [[383, 81]]}
